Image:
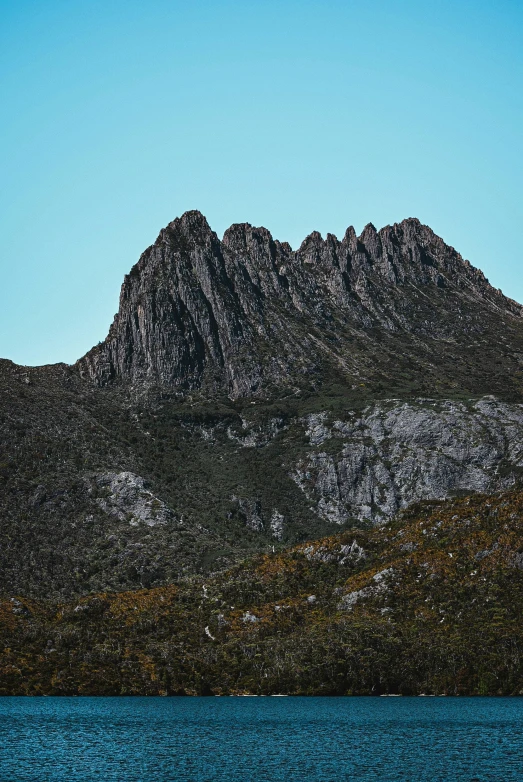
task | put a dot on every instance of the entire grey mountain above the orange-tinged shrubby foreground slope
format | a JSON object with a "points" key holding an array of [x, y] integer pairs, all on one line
{"points": [[249, 397]]}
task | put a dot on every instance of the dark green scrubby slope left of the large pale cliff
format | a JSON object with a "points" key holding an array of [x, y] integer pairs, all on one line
{"points": [[102, 490]]}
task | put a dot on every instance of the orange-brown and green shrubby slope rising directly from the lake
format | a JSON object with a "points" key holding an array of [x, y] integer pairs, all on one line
{"points": [[428, 603]]}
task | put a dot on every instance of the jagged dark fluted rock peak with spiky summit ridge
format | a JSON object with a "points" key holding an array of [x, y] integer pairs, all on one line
{"points": [[247, 314]]}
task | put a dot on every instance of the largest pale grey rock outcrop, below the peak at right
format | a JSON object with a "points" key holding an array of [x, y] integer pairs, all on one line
{"points": [[372, 464]]}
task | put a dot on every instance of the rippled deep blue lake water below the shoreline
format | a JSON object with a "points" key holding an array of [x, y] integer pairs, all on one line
{"points": [[251, 739]]}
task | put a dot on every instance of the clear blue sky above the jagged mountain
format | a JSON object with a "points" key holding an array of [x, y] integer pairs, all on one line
{"points": [[117, 116]]}
